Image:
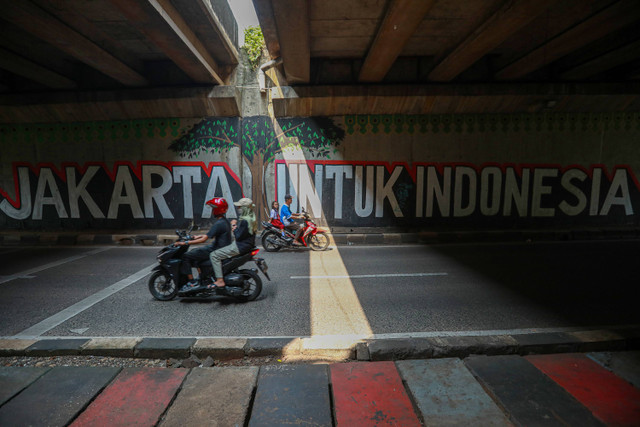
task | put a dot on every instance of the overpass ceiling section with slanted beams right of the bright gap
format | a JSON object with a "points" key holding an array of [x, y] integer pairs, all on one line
{"points": [[453, 56]]}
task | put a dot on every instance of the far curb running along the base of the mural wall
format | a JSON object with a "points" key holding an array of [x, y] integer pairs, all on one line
{"points": [[369, 237]]}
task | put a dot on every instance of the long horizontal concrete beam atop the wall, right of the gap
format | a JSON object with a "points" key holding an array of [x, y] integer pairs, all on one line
{"points": [[455, 98]]}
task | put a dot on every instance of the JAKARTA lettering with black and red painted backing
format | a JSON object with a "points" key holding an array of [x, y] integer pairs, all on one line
{"points": [[149, 194]]}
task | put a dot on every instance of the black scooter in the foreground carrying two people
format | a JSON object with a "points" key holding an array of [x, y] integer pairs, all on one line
{"points": [[242, 284]]}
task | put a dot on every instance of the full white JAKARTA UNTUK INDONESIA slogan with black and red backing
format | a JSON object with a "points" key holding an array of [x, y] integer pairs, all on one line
{"points": [[344, 193]]}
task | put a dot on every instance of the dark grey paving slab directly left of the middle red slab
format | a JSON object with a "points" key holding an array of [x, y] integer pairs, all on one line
{"points": [[292, 395]]}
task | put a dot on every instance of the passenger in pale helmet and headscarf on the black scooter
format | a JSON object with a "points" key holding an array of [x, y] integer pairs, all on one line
{"points": [[243, 241]]}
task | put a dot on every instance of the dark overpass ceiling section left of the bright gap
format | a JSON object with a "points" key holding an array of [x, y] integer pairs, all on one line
{"points": [[137, 58]]}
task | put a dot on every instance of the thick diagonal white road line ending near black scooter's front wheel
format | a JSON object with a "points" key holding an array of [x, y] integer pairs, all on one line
{"points": [[77, 308]]}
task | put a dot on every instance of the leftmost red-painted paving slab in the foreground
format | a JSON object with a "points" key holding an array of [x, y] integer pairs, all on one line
{"points": [[136, 397]]}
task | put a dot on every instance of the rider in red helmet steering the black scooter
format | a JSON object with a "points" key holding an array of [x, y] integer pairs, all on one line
{"points": [[220, 232]]}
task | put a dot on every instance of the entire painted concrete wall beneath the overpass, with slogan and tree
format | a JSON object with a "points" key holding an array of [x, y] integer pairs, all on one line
{"points": [[445, 172]]}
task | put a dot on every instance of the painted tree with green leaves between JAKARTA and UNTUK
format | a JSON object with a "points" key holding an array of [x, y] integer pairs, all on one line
{"points": [[260, 140]]}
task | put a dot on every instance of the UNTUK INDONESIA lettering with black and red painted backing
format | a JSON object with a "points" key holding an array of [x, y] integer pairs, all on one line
{"points": [[448, 194]]}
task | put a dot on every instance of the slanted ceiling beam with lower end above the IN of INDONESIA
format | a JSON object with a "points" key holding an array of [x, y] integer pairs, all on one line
{"points": [[512, 16]]}
